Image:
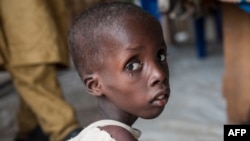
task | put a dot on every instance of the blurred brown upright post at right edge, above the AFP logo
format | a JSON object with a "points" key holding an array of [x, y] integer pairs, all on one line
{"points": [[236, 83]]}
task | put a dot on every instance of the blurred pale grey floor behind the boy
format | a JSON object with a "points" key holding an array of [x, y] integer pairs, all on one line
{"points": [[195, 112]]}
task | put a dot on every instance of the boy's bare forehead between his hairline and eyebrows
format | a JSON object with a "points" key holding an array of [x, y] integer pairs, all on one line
{"points": [[129, 31]]}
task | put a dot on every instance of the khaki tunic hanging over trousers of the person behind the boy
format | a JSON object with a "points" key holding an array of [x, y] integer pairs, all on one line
{"points": [[33, 32]]}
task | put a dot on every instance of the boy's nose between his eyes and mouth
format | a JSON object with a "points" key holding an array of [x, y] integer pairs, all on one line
{"points": [[157, 75]]}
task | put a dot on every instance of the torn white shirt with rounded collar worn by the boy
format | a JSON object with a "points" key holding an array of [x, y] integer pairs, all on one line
{"points": [[93, 133]]}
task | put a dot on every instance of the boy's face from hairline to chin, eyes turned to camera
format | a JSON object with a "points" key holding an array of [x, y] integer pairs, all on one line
{"points": [[135, 76]]}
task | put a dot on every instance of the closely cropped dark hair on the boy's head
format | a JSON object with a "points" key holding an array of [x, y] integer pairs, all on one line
{"points": [[89, 35]]}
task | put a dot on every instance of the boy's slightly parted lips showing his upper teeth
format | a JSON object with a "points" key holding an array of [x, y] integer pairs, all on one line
{"points": [[160, 99]]}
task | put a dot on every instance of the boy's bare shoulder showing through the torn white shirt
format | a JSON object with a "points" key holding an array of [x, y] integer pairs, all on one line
{"points": [[118, 133]]}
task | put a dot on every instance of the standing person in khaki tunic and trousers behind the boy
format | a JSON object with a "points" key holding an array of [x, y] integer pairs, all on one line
{"points": [[32, 48]]}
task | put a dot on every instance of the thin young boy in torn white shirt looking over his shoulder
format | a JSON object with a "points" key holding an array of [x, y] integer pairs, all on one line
{"points": [[120, 54]]}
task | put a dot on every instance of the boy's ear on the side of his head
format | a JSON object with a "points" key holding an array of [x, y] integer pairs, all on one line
{"points": [[93, 84]]}
